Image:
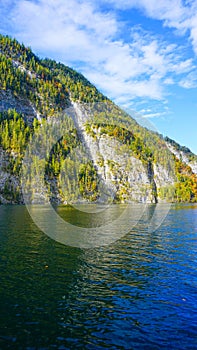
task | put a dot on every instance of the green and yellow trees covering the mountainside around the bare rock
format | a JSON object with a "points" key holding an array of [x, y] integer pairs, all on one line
{"points": [[50, 87]]}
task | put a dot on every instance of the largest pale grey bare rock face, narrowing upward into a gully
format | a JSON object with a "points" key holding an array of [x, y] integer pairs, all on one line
{"points": [[126, 177]]}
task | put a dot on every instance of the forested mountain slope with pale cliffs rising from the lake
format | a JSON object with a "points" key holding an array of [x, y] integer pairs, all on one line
{"points": [[62, 141]]}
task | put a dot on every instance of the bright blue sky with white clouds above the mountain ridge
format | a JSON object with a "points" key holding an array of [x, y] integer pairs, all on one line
{"points": [[140, 53]]}
